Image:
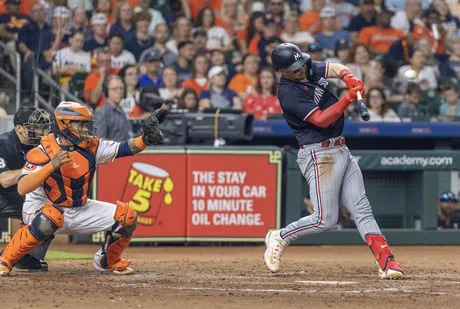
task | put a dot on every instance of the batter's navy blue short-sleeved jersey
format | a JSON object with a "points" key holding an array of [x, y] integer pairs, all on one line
{"points": [[299, 99]]}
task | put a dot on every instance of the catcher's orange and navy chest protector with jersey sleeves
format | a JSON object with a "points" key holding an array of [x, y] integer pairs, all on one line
{"points": [[69, 185]]}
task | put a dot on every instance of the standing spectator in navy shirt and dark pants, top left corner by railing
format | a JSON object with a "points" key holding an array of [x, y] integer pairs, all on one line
{"points": [[37, 43]]}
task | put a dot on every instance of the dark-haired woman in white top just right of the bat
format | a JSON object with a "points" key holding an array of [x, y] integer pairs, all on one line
{"points": [[378, 107]]}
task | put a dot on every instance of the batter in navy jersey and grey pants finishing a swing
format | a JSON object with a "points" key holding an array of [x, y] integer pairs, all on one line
{"points": [[311, 108]]}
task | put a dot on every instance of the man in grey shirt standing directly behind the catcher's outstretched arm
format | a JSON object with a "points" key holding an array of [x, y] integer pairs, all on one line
{"points": [[112, 123]]}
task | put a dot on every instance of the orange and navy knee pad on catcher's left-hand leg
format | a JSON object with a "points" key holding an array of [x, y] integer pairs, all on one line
{"points": [[47, 222]]}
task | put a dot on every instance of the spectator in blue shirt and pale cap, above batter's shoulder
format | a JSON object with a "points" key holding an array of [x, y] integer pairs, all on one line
{"points": [[330, 35]]}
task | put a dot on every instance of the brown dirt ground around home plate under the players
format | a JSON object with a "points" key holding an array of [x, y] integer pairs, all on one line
{"points": [[235, 277]]}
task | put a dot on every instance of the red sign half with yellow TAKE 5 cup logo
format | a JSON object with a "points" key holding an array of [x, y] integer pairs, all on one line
{"points": [[155, 186]]}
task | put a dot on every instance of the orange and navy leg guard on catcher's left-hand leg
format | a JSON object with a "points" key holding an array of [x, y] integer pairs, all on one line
{"points": [[27, 238]]}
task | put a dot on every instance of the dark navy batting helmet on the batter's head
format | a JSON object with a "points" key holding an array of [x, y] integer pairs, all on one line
{"points": [[288, 56]]}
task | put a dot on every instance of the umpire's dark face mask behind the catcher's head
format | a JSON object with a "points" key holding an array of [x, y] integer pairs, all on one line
{"points": [[36, 121]]}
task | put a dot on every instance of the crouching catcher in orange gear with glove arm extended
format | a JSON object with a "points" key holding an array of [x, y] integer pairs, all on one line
{"points": [[56, 180]]}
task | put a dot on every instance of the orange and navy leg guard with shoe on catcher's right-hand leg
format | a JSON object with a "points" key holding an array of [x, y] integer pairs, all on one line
{"points": [[116, 240]]}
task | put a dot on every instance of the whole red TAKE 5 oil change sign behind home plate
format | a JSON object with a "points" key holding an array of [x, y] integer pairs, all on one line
{"points": [[196, 194]]}
